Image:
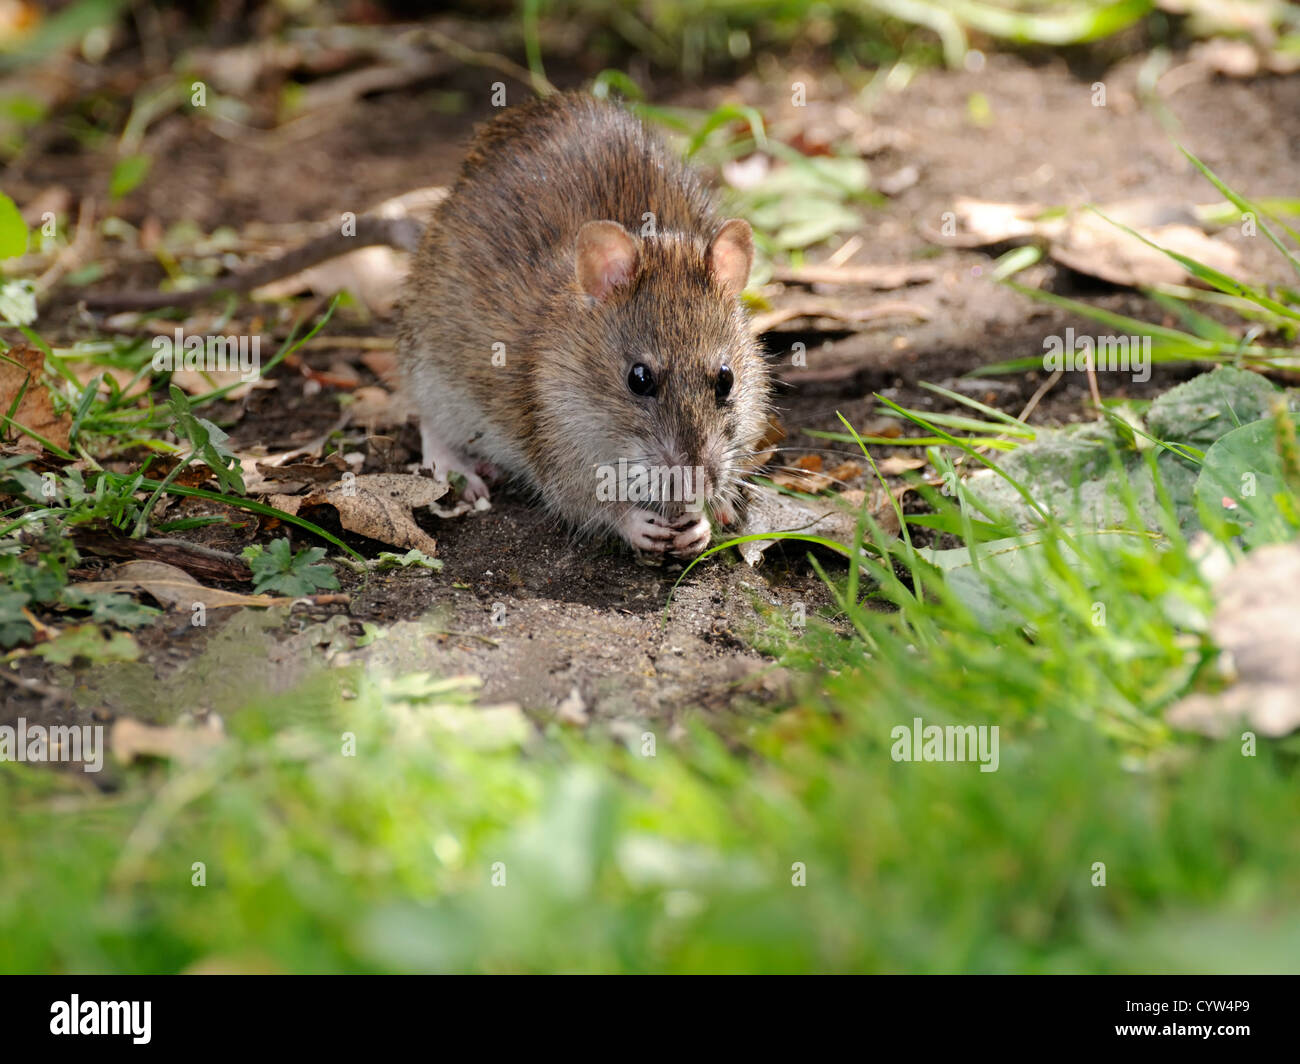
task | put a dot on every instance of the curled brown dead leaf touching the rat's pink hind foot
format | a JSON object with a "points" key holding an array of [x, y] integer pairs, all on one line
{"points": [[379, 507]]}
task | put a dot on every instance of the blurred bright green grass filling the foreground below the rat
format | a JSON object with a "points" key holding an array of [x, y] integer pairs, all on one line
{"points": [[683, 862]]}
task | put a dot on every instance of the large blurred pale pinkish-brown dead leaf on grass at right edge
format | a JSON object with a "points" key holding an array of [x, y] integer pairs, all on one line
{"points": [[1256, 626]]}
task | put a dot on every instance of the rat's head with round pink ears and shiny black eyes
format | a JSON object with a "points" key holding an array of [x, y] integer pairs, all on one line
{"points": [[683, 388]]}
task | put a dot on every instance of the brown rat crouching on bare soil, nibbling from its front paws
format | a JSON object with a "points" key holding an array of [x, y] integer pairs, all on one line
{"points": [[573, 318]]}
